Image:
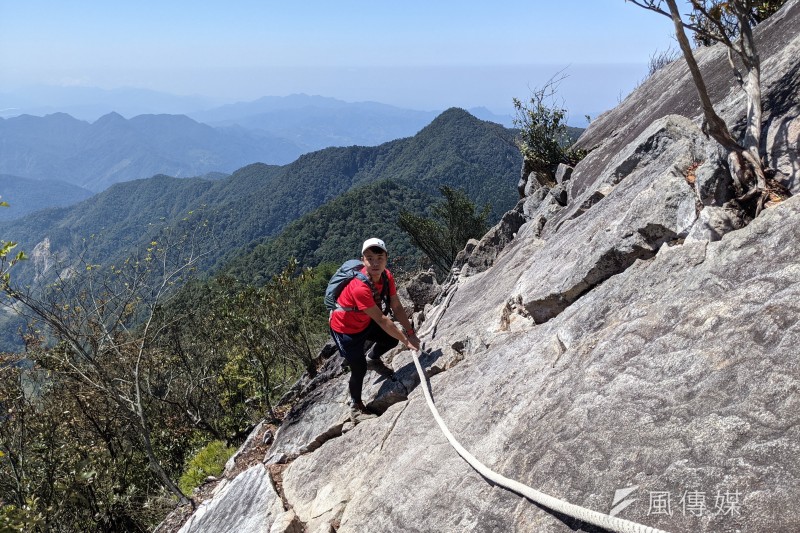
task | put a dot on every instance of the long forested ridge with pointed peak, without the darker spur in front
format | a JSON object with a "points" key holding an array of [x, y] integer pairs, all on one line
{"points": [[257, 201]]}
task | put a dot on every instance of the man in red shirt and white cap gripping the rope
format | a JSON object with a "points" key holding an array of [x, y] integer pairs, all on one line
{"points": [[360, 328]]}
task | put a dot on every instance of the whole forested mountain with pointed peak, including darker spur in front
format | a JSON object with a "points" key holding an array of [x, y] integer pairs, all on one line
{"points": [[258, 201]]}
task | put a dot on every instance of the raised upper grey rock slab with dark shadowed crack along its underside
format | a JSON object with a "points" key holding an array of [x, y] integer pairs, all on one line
{"points": [[647, 202]]}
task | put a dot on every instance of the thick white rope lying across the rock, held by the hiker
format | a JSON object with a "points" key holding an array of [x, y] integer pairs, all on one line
{"points": [[608, 522]]}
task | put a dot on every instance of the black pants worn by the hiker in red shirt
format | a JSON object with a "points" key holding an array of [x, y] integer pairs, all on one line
{"points": [[356, 347]]}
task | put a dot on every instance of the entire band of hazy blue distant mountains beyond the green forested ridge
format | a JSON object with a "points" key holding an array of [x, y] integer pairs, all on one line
{"points": [[112, 148]]}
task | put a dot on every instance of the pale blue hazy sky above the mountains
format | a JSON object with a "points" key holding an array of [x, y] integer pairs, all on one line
{"points": [[421, 54]]}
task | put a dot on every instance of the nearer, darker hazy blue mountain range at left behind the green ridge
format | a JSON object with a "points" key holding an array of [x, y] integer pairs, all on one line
{"points": [[114, 149]]}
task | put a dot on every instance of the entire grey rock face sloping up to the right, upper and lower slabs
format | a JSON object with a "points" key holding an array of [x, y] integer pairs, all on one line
{"points": [[643, 337]]}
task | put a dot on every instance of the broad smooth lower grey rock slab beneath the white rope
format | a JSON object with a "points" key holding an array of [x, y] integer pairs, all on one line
{"points": [[679, 376]]}
